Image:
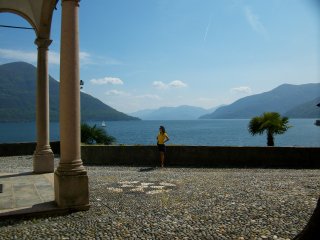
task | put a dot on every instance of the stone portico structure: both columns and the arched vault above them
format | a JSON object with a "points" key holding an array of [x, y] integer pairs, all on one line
{"points": [[70, 171]]}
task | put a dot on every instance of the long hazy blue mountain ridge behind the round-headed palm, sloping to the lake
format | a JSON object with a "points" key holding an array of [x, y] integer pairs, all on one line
{"points": [[280, 99]]}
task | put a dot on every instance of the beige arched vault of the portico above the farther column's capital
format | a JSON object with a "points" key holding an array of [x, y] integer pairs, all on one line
{"points": [[37, 12]]}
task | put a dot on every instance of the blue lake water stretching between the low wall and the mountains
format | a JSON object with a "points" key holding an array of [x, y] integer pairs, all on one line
{"points": [[220, 132]]}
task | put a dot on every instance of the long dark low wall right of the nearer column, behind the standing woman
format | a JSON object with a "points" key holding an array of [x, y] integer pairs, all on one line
{"points": [[202, 156]]}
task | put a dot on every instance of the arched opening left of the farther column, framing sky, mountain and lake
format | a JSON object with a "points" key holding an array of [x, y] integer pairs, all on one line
{"points": [[21, 84]]}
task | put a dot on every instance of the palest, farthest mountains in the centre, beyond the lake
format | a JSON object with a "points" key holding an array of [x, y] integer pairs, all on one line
{"points": [[172, 113]]}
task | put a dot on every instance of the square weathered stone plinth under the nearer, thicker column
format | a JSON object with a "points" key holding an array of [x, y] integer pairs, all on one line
{"points": [[71, 191]]}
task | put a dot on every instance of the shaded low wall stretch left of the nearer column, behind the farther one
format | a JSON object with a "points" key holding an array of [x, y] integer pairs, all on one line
{"points": [[17, 149]]}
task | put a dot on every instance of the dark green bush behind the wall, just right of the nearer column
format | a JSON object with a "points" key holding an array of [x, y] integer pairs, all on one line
{"points": [[93, 135]]}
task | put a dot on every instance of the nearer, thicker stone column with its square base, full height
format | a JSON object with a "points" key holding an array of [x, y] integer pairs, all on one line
{"points": [[70, 178]]}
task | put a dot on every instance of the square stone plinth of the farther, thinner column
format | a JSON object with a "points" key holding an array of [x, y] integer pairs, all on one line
{"points": [[43, 161]]}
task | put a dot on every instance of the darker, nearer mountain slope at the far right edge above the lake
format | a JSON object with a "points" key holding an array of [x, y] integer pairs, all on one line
{"points": [[305, 110]]}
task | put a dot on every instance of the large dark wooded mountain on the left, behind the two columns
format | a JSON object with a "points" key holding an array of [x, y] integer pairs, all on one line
{"points": [[18, 97]]}
